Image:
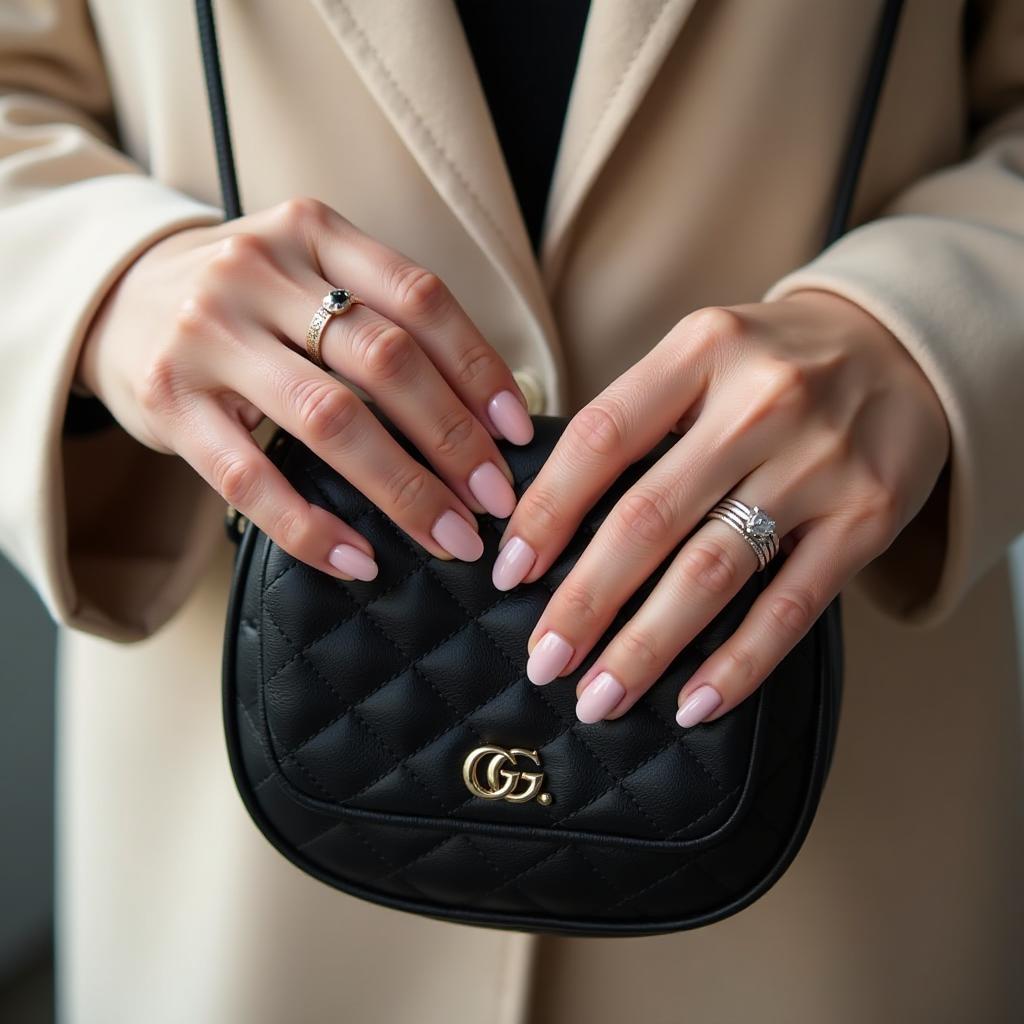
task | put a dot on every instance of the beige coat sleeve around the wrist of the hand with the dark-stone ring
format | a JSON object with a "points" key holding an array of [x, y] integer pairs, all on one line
{"points": [[111, 534]]}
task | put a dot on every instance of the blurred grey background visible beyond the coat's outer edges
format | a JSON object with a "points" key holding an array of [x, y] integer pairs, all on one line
{"points": [[27, 730]]}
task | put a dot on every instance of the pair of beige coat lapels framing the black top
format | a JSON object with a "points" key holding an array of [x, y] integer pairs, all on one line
{"points": [[415, 61]]}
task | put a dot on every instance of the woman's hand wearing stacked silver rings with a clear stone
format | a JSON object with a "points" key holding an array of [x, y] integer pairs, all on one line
{"points": [[806, 407]]}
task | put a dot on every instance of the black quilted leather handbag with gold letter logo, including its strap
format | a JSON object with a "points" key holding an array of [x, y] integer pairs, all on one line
{"points": [[385, 737]]}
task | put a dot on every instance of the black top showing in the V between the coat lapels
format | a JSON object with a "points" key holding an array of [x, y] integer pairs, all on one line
{"points": [[526, 54]]}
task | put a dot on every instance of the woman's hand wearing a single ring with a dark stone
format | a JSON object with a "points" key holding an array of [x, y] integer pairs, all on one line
{"points": [[204, 335]]}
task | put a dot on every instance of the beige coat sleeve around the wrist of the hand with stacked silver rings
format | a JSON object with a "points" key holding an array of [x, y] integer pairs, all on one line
{"points": [[943, 268]]}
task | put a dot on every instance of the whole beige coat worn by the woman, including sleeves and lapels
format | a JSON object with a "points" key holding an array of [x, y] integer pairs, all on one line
{"points": [[697, 167]]}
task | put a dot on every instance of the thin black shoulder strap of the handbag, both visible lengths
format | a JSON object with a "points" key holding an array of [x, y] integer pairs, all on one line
{"points": [[849, 173]]}
